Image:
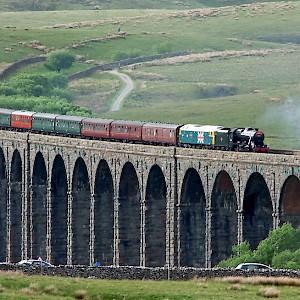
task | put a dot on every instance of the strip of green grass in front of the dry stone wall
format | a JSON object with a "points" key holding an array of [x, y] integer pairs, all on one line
{"points": [[18, 286]]}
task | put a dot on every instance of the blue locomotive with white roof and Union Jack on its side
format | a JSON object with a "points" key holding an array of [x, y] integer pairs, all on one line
{"points": [[200, 136]]}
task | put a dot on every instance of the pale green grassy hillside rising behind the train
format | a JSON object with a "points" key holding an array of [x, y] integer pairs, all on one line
{"points": [[242, 71]]}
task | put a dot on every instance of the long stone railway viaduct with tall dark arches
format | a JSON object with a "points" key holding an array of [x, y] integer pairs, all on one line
{"points": [[75, 201]]}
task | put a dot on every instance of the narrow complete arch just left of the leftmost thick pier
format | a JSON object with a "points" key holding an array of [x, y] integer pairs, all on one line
{"points": [[16, 208]]}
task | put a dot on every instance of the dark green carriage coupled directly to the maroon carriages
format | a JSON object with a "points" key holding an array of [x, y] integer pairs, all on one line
{"points": [[68, 125]]}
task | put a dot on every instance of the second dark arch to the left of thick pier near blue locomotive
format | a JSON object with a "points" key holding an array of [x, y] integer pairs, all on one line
{"points": [[129, 216]]}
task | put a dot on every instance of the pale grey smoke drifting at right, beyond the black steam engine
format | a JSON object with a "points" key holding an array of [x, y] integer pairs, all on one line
{"points": [[283, 122]]}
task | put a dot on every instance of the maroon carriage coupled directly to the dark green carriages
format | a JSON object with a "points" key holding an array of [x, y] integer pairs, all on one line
{"points": [[96, 128]]}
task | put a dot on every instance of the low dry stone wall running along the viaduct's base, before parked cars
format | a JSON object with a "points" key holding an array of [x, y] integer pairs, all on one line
{"points": [[140, 273]]}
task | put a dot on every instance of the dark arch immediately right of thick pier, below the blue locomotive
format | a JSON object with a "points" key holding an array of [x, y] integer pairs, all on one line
{"points": [[192, 221]]}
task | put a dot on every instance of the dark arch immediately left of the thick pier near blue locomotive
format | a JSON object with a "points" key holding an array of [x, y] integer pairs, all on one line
{"points": [[155, 218]]}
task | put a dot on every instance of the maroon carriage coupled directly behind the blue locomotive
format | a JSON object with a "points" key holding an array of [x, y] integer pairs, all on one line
{"points": [[160, 133]]}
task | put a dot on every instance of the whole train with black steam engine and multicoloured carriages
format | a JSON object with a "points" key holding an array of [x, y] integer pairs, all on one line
{"points": [[180, 135]]}
